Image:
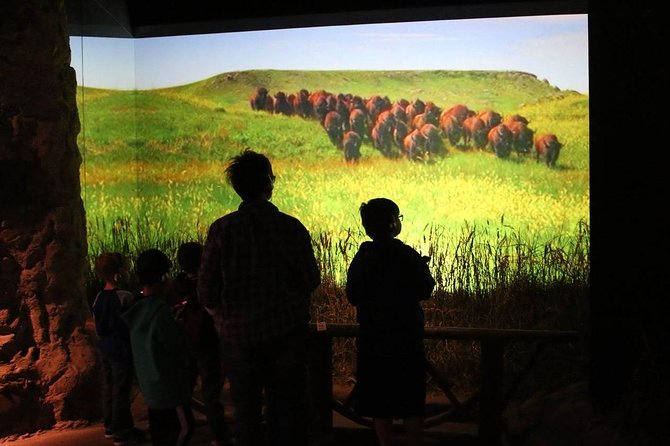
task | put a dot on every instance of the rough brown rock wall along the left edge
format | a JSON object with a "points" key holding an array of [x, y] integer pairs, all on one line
{"points": [[48, 360]]}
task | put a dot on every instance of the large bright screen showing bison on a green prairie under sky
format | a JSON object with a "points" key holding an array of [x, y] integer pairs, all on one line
{"points": [[473, 126]]}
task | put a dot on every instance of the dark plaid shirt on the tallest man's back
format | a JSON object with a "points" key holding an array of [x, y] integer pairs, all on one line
{"points": [[257, 273]]}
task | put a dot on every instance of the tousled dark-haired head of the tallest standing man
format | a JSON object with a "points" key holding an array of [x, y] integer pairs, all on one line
{"points": [[250, 174]]}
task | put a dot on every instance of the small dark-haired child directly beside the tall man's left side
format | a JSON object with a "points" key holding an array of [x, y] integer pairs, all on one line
{"points": [[201, 339]]}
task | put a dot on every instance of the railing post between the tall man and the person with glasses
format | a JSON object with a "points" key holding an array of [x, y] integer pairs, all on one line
{"points": [[321, 384]]}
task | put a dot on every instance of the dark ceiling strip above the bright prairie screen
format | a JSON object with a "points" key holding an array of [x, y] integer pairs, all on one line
{"points": [[153, 18]]}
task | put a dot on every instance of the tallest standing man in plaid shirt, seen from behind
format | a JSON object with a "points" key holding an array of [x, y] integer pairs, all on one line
{"points": [[256, 277]]}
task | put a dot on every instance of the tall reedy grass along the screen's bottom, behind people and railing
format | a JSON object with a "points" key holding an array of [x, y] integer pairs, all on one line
{"points": [[483, 280]]}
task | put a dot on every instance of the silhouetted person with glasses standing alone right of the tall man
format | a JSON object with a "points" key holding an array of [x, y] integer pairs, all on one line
{"points": [[386, 281]]}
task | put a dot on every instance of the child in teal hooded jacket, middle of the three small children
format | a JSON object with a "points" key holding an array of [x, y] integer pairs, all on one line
{"points": [[159, 350]]}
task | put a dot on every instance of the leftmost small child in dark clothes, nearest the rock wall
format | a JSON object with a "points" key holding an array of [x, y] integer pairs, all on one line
{"points": [[117, 359]]}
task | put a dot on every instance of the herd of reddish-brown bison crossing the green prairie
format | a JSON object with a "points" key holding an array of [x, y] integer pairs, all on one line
{"points": [[415, 130]]}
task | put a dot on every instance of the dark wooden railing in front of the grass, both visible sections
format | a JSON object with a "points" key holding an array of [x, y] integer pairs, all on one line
{"points": [[491, 398]]}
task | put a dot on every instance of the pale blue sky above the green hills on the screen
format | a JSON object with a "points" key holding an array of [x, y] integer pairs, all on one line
{"points": [[554, 48]]}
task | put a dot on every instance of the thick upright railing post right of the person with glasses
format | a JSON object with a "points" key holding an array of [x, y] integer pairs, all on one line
{"points": [[491, 397]]}
